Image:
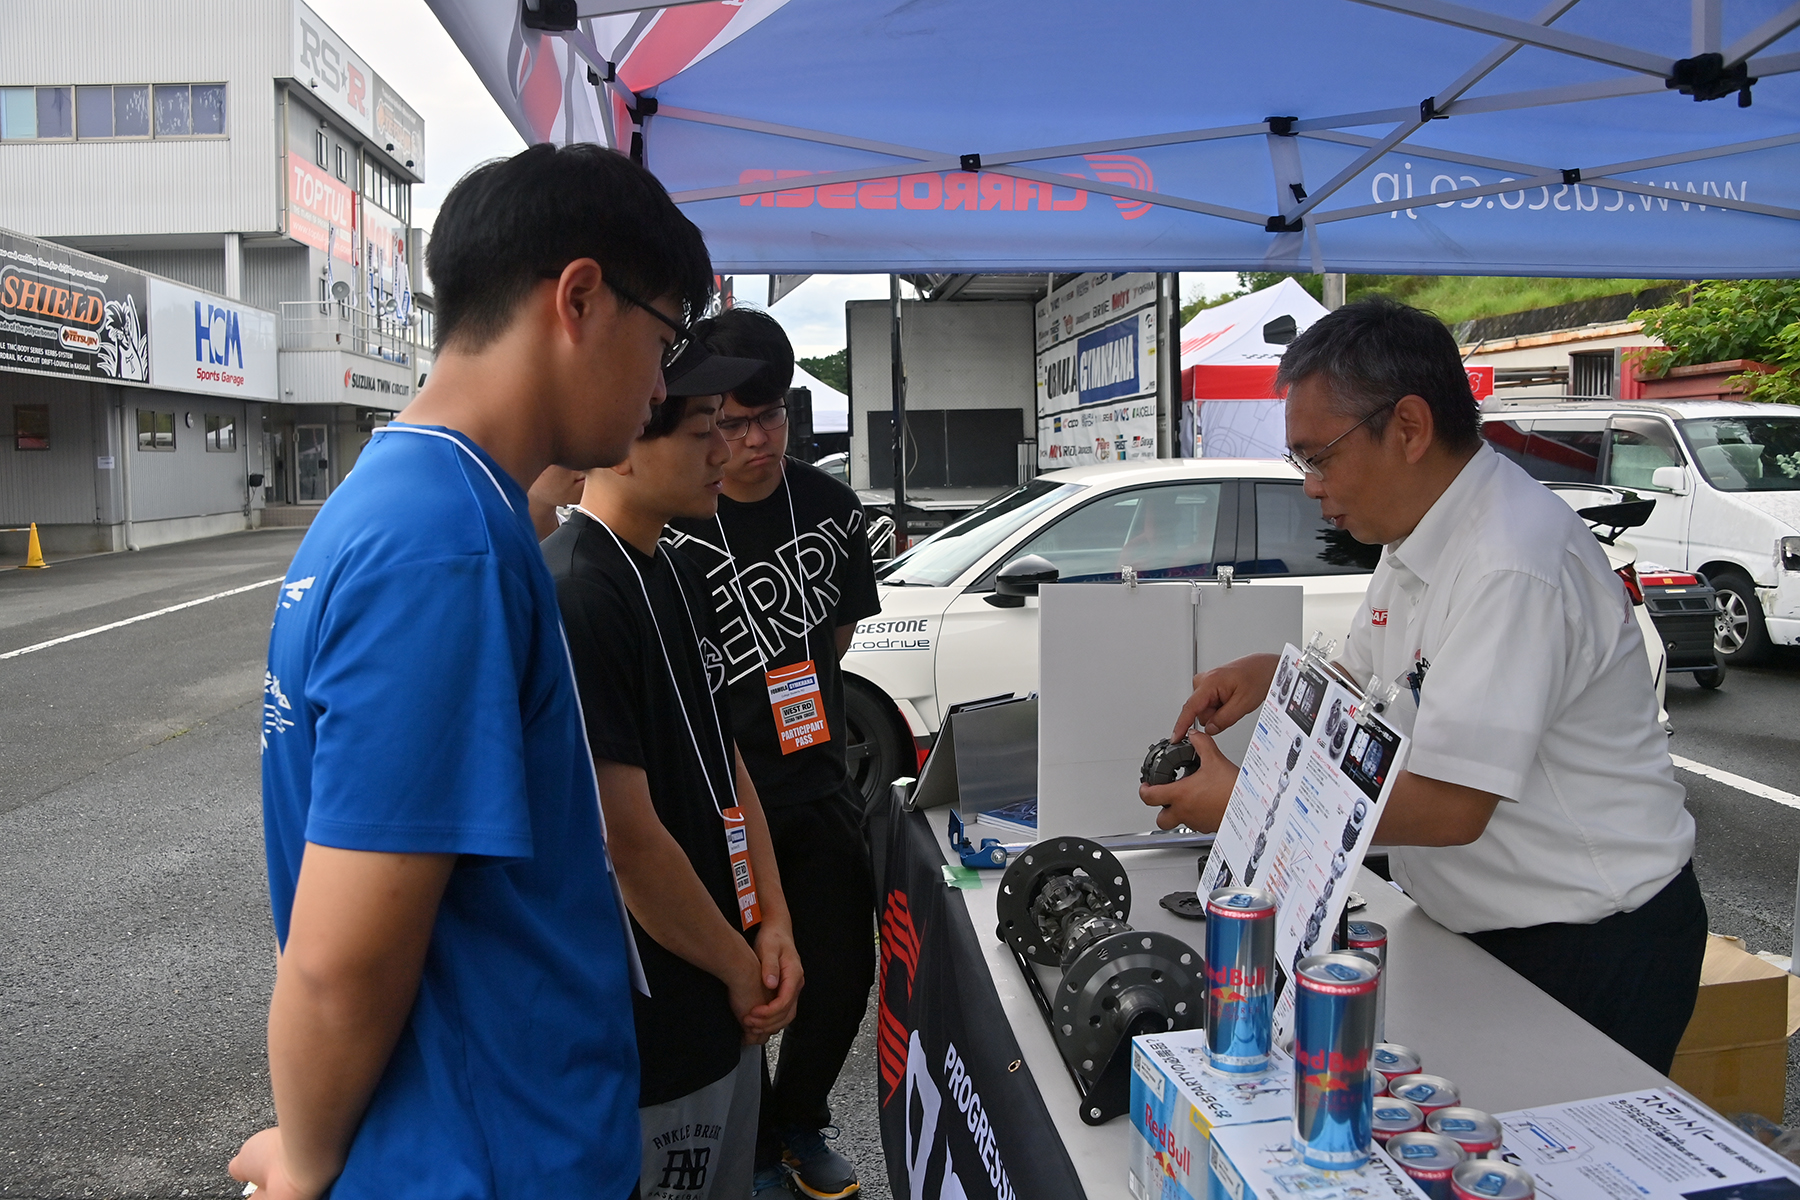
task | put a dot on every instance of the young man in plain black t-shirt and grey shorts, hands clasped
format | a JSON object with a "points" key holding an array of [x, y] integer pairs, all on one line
{"points": [[685, 825]]}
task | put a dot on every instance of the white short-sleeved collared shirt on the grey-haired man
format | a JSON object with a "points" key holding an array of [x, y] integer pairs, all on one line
{"points": [[1536, 690]]}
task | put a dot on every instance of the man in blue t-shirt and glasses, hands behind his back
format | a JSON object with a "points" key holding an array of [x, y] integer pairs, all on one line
{"points": [[453, 1001]]}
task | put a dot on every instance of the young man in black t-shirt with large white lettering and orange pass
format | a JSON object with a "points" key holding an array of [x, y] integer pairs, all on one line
{"points": [[787, 566]]}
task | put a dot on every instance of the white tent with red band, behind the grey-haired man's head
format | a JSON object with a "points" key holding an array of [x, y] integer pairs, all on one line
{"points": [[1228, 407]]}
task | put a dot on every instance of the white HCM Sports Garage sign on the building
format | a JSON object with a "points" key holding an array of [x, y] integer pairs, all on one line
{"points": [[201, 343]]}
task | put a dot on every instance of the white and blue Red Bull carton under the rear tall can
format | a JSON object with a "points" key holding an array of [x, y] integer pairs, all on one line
{"points": [[1176, 1102]]}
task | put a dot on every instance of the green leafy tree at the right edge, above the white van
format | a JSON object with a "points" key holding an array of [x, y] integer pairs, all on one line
{"points": [[1725, 319]]}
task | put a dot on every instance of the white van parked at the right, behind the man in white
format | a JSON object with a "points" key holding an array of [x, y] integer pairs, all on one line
{"points": [[1727, 485]]}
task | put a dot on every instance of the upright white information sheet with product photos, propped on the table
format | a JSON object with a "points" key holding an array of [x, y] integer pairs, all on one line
{"points": [[1304, 810]]}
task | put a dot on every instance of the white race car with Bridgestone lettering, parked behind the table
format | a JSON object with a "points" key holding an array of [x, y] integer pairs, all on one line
{"points": [[946, 636]]}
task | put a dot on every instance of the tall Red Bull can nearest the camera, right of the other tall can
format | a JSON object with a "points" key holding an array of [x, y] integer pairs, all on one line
{"points": [[1335, 1034]]}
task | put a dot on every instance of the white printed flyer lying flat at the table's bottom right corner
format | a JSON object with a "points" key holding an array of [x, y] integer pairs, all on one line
{"points": [[1651, 1145]]}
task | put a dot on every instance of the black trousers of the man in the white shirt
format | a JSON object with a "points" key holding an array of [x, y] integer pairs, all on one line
{"points": [[1632, 976]]}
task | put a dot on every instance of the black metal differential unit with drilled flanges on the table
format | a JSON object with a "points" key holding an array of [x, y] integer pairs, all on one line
{"points": [[1063, 908]]}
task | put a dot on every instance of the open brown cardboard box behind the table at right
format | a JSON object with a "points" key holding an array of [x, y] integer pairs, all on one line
{"points": [[1734, 1053]]}
